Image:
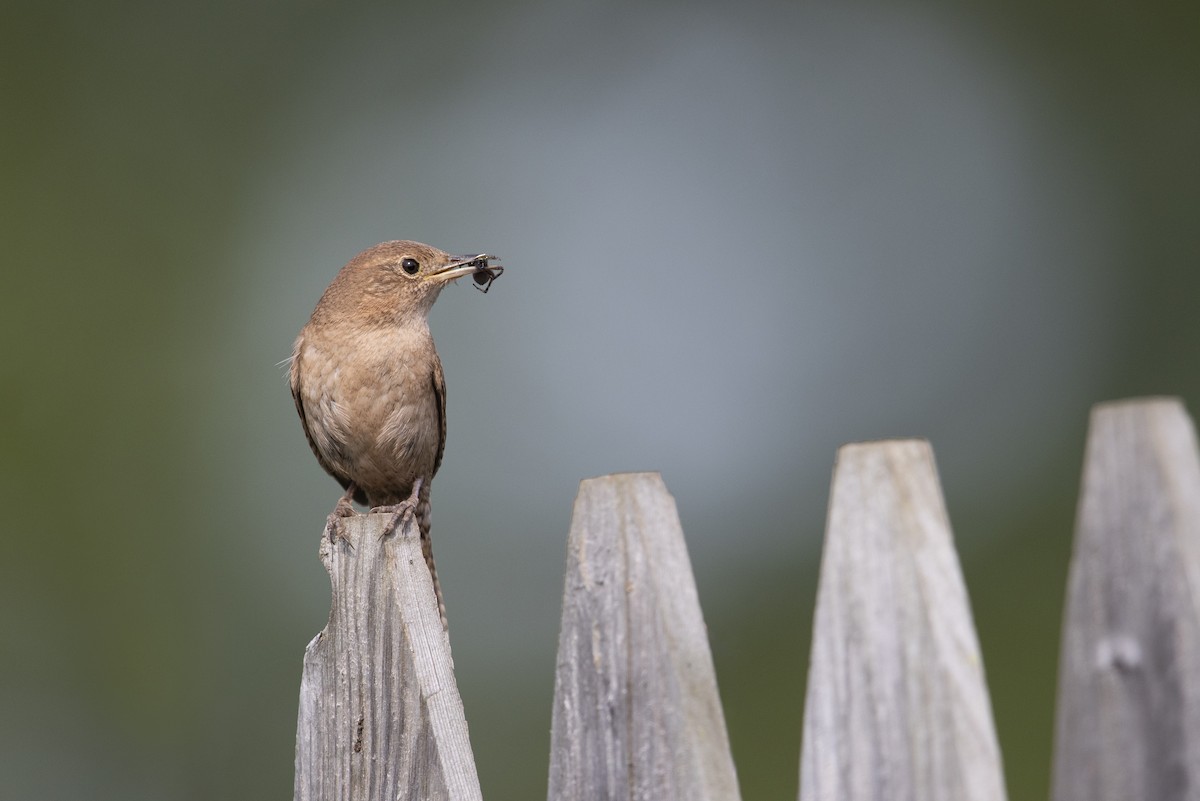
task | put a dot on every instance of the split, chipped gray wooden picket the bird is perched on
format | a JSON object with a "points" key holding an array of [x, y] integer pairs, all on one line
{"points": [[380, 712]]}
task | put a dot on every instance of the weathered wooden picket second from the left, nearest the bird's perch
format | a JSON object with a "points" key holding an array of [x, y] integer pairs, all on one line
{"points": [[637, 708]]}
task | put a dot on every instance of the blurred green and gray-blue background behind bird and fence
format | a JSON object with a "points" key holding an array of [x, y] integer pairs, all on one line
{"points": [[737, 236]]}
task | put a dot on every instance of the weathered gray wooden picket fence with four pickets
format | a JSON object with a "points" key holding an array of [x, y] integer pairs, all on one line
{"points": [[897, 703]]}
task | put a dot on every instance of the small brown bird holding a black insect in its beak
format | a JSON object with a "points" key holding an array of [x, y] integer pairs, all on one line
{"points": [[368, 382]]}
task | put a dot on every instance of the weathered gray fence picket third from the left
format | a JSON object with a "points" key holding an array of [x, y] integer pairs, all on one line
{"points": [[897, 704]]}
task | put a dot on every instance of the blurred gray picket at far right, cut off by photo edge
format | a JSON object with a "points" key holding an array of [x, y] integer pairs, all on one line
{"points": [[1129, 722]]}
